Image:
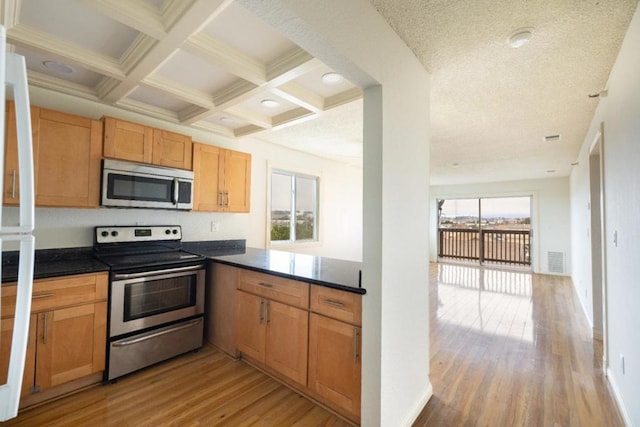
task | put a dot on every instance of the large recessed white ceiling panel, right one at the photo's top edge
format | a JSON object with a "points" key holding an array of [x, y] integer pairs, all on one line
{"points": [[245, 32]]}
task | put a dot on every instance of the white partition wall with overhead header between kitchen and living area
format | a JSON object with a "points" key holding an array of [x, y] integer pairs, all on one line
{"points": [[351, 37]]}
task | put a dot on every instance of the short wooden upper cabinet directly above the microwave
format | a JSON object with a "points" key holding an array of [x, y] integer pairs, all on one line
{"points": [[125, 140]]}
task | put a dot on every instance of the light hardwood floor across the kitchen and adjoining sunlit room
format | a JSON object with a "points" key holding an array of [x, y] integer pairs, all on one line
{"points": [[507, 349]]}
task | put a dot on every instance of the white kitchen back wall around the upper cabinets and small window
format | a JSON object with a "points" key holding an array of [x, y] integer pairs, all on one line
{"points": [[341, 205]]}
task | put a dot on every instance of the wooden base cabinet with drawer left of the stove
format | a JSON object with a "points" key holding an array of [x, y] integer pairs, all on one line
{"points": [[67, 334]]}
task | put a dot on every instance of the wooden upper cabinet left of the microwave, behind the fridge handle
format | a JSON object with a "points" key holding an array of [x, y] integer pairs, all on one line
{"points": [[67, 152]]}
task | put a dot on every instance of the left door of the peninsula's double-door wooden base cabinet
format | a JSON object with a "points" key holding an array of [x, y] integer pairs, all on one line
{"points": [[250, 325]]}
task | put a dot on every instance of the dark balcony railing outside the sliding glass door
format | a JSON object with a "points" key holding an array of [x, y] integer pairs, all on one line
{"points": [[495, 246]]}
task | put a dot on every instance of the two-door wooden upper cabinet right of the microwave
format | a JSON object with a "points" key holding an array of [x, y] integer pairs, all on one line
{"points": [[222, 179]]}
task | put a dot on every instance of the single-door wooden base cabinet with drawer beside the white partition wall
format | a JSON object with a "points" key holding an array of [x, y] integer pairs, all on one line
{"points": [[334, 349]]}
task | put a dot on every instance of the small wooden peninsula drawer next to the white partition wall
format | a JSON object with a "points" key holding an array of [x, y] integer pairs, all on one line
{"points": [[341, 305]]}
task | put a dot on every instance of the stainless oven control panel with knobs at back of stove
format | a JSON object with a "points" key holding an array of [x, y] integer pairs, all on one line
{"points": [[141, 233]]}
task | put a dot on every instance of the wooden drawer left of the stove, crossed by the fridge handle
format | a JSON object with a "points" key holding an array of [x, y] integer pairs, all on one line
{"points": [[58, 292]]}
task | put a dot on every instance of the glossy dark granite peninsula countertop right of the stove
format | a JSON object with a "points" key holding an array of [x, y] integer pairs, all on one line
{"points": [[330, 272]]}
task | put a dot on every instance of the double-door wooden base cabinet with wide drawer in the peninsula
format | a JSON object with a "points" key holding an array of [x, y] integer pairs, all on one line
{"points": [[272, 323]]}
